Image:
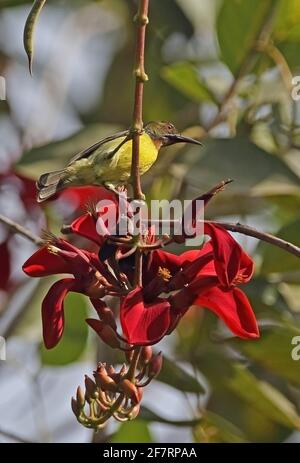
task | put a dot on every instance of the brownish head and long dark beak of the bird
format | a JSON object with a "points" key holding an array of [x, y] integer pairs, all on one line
{"points": [[166, 133]]}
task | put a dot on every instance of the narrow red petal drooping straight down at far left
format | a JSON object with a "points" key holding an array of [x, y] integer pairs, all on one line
{"points": [[53, 311]]}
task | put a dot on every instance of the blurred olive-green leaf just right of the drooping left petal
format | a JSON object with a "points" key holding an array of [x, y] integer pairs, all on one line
{"points": [[74, 340]]}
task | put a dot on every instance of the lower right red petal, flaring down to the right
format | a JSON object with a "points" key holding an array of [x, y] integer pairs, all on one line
{"points": [[234, 308]]}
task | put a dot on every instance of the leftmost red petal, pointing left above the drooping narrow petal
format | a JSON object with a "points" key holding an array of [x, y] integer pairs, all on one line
{"points": [[43, 263]]}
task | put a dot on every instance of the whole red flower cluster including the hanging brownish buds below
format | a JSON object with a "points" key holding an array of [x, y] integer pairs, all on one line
{"points": [[207, 277]]}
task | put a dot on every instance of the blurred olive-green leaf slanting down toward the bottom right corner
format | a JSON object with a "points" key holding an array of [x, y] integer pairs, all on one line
{"points": [[263, 397]]}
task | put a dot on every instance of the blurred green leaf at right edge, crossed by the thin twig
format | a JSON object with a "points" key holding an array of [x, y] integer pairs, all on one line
{"points": [[276, 260]]}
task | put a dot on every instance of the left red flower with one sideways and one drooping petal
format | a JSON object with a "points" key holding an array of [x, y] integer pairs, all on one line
{"points": [[59, 256]]}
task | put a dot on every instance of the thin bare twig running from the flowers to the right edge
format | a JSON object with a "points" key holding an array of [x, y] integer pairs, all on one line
{"points": [[249, 231]]}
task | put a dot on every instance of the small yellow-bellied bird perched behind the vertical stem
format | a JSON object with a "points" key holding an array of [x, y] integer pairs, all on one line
{"points": [[108, 162]]}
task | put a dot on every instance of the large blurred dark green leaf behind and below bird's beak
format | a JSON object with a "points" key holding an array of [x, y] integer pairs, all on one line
{"points": [[237, 158]]}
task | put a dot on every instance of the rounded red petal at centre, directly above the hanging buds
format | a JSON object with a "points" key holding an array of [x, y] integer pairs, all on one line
{"points": [[144, 323]]}
